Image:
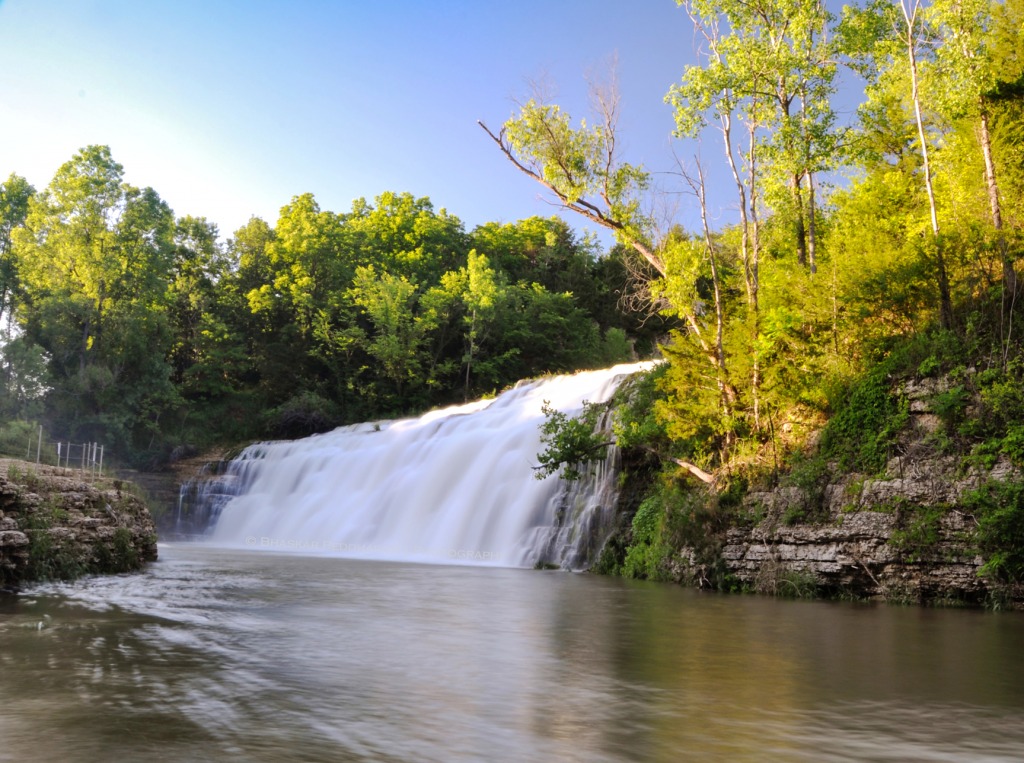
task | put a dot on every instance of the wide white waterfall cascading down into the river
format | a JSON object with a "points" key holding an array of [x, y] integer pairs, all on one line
{"points": [[454, 486]]}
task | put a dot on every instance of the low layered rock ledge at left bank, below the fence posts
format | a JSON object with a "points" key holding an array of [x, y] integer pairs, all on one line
{"points": [[54, 526]]}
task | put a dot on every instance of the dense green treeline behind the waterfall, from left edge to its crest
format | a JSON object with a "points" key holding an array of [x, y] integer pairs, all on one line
{"points": [[129, 326]]}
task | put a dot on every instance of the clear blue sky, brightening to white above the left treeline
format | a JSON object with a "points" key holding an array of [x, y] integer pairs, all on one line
{"points": [[230, 108]]}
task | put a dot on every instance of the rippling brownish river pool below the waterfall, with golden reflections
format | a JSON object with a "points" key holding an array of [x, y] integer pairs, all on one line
{"points": [[229, 656]]}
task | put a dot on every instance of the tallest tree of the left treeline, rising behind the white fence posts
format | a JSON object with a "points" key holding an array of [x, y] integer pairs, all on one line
{"points": [[95, 258]]}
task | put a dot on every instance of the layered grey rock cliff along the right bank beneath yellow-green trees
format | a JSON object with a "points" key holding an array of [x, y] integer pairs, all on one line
{"points": [[902, 536]]}
